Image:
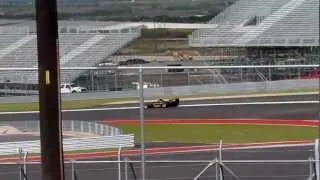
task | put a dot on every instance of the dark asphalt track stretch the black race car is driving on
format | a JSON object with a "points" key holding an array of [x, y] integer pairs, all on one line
{"points": [[305, 111]]}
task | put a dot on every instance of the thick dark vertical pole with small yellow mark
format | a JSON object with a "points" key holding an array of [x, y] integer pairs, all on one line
{"points": [[50, 115]]}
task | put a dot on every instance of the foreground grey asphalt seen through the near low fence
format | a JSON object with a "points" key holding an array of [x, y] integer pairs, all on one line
{"points": [[166, 171]]}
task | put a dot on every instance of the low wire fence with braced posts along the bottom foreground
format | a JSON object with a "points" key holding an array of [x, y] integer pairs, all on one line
{"points": [[220, 163]]}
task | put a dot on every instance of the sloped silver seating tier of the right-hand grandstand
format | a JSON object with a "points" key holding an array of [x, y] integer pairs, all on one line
{"points": [[263, 23]]}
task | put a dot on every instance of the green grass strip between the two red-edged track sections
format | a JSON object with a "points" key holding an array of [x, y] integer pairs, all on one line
{"points": [[213, 133]]}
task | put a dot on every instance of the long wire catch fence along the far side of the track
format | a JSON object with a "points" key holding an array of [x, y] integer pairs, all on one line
{"points": [[165, 78]]}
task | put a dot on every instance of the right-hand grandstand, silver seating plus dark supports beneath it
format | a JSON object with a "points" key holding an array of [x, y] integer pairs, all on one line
{"points": [[269, 31]]}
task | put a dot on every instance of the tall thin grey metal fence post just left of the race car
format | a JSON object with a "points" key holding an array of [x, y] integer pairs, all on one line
{"points": [[141, 122]]}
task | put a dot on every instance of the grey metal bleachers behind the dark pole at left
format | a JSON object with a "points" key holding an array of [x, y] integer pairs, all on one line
{"points": [[81, 43]]}
